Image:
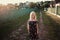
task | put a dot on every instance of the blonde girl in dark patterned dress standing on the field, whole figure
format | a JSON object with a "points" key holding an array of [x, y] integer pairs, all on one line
{"points": [[32, 26]]}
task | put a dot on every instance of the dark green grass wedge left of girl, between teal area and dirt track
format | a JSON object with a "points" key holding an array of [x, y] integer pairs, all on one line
{"points": [[8, 26]]}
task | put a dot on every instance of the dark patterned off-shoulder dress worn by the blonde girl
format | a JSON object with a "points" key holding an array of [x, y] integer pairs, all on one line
{"points": [[33, 29]]}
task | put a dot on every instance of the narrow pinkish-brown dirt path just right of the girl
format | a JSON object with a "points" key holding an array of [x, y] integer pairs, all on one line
{"points": [[42, 30]]}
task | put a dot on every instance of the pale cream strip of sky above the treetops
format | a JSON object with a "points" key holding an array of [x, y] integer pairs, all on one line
{"points": [[17, 1]]}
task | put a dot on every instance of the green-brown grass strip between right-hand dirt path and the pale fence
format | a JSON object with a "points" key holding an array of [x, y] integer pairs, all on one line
{"points": [[52, 26]]}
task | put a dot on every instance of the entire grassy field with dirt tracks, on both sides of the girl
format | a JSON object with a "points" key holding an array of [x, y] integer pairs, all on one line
{"points": [[13, 24]]}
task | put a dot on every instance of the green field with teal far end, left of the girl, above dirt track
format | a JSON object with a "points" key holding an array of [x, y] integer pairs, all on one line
{"points": [[13, 19]]}
